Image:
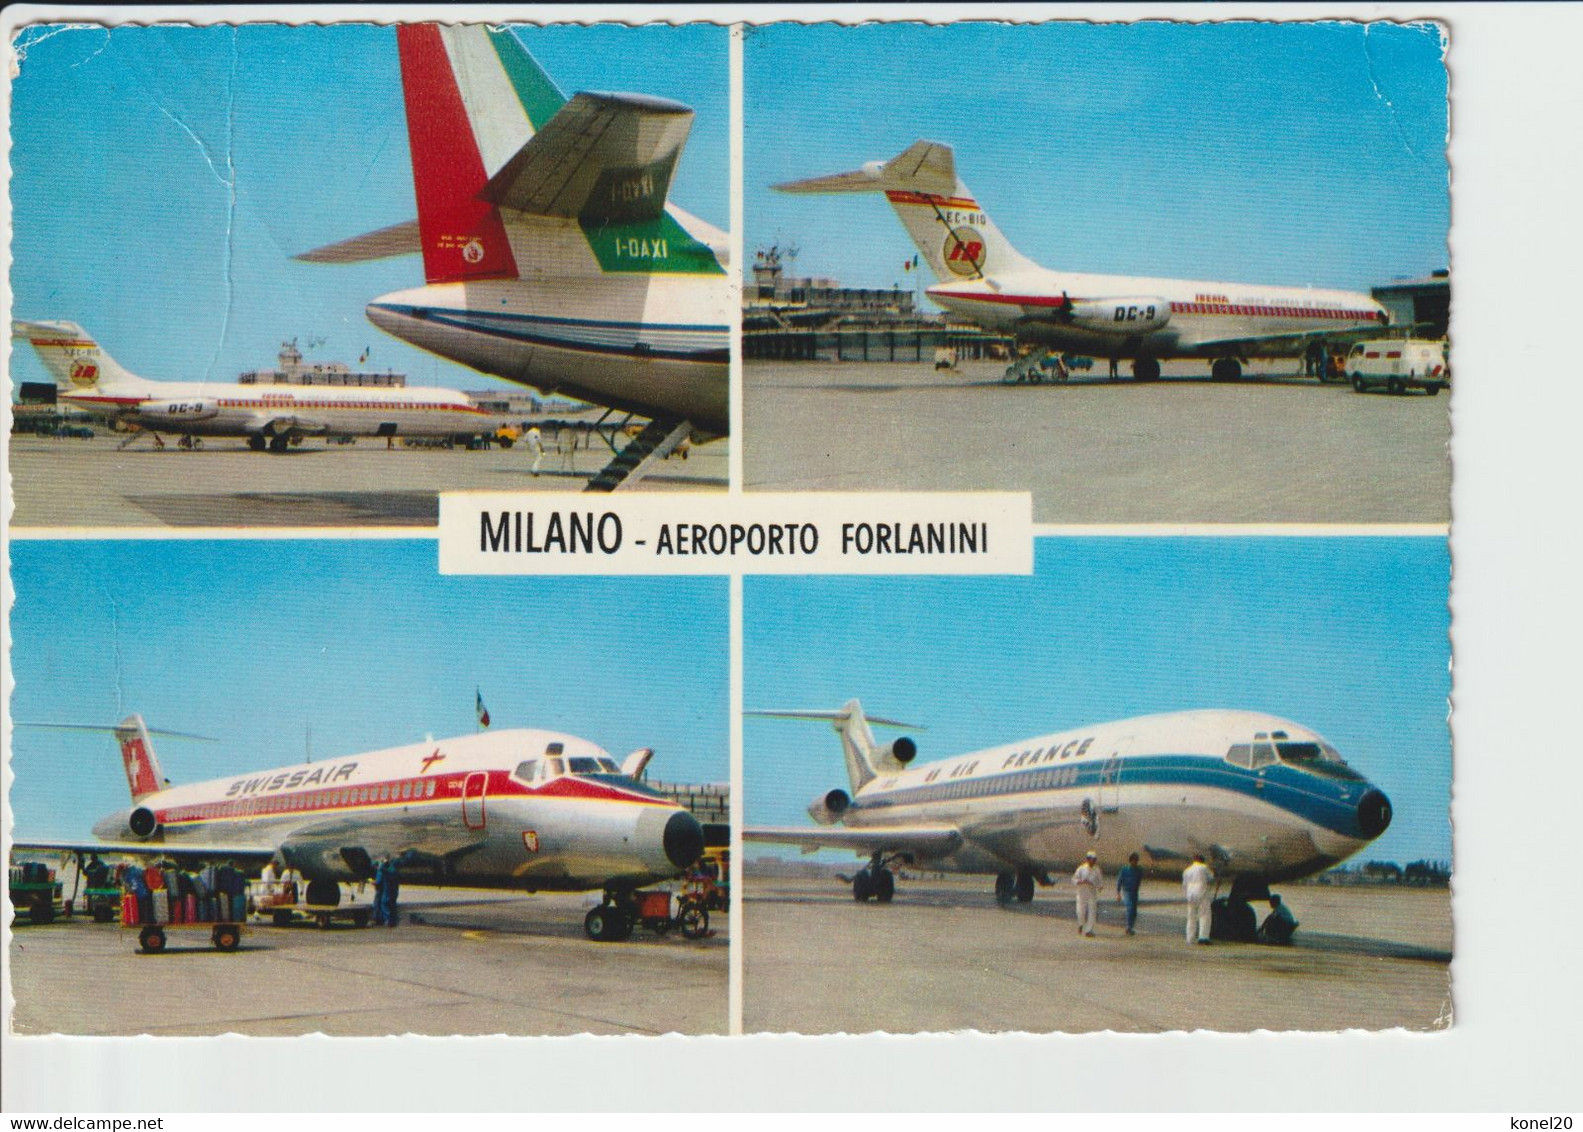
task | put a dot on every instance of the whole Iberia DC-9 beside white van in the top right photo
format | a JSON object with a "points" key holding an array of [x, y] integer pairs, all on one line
{"points": [[989, 283]]}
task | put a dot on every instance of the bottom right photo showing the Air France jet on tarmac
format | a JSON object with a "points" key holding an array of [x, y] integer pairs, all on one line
{"points": [[1163, 784]]}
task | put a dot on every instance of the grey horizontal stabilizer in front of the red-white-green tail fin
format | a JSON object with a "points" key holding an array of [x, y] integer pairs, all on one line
{"points": [[599, 159]]}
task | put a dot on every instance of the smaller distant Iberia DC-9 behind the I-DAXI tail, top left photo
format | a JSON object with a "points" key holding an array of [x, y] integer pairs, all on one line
{"points": [[270, 416]]}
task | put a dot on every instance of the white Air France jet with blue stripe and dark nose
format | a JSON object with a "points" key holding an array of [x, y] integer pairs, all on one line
{"points": [[1262, 799]]}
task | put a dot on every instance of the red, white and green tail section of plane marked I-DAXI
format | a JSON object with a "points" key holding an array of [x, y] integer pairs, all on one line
{"points": [[550, 253]]}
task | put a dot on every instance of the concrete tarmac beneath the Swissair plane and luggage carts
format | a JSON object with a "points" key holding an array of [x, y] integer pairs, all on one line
{"points": [[477, 963]]}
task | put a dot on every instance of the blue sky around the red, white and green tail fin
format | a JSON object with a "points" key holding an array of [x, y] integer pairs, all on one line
{"points": [[124, 143]]}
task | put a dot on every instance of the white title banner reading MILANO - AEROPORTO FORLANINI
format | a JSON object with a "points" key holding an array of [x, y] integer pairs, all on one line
{"points": [[805, 533]]}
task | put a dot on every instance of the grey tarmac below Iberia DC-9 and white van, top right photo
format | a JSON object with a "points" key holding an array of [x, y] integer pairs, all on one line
{"points": [[1270, 449]]}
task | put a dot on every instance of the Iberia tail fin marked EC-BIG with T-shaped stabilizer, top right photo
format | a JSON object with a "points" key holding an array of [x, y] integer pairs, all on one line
{"points": [[952, 230]]}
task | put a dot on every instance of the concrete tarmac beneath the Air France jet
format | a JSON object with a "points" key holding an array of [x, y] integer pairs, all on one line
{"points": [[944, 957]]}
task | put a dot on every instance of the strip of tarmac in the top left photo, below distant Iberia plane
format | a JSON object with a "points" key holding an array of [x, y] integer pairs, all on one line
{"points": [[96, 484]]}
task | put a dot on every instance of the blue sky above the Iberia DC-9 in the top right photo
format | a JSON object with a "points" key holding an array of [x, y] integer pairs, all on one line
{"points": [[1305, 154]]}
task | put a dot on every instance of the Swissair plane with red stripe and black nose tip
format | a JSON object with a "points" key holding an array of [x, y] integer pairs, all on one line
{"points": [[518, 810]]}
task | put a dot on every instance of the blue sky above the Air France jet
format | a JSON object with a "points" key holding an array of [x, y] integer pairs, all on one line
{"points": [[1345, 636]]}
